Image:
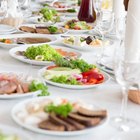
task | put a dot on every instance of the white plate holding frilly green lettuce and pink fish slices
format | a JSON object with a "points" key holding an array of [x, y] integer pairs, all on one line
{"points": [[13, 53]]}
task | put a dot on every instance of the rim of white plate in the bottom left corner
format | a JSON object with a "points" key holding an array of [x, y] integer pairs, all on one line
{"points": [[9, 130]]}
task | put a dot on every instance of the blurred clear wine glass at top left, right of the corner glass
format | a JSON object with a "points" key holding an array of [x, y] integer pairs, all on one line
{"points": [[24, 6]]}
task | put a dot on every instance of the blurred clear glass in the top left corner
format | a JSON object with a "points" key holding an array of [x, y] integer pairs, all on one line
{"points": [[3, 9]]}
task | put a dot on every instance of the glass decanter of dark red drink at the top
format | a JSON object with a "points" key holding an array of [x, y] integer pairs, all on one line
{"points": [[87, 12]]}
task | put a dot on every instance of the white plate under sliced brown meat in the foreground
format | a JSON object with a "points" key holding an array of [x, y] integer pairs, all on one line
{"points": [[22, 105]]}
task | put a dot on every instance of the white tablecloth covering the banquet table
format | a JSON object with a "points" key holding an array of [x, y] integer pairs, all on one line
{"points": [[106, 96]]}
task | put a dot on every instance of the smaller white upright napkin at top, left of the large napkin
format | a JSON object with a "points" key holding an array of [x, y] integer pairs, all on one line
{"points": [[118, 9]]}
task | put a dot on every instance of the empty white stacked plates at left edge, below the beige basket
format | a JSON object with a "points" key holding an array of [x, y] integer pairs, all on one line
{"points": [[6, 29]]}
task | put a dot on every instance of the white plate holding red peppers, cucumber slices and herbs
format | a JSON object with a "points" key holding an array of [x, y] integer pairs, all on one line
{"points": [[42, 71]]}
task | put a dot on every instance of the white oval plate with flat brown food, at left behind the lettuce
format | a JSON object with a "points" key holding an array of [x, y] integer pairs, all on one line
{"points": [[28, 35]]}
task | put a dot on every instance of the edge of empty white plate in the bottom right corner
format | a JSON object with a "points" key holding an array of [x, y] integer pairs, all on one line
{"points": [[131, 135]]}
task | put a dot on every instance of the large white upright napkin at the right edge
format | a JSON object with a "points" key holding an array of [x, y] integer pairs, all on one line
{"points": [[132, 36]]}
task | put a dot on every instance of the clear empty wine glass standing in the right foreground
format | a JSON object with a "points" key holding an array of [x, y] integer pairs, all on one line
{"points": [[125, 76]]}
